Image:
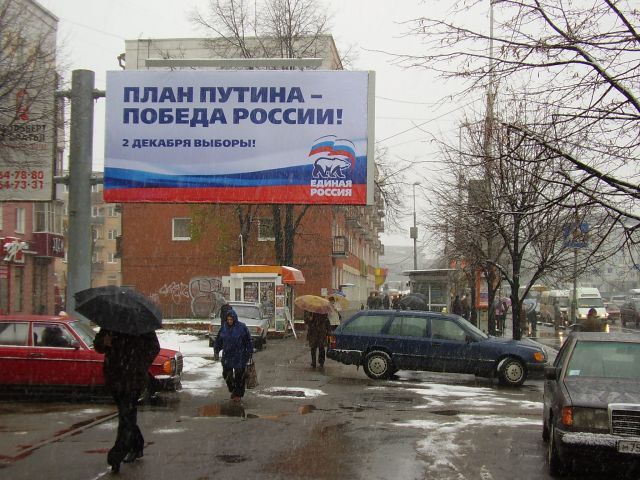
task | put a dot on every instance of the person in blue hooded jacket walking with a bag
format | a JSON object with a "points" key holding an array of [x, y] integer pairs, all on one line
{"points": [[235, 342]]}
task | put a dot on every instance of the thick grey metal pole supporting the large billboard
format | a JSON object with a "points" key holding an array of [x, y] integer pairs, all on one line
{"points": [[78, 247]]}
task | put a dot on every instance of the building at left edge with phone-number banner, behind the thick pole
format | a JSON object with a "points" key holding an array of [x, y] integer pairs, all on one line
{"points": [[31, 233]]}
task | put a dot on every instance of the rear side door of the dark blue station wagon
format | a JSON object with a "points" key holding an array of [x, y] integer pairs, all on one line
{"points": [[408, 341]]}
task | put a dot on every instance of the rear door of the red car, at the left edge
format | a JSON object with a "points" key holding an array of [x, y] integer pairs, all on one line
{"points": [[14, 352]]}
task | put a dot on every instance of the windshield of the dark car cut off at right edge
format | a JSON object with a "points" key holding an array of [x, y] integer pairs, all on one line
{"points": [[605, 359]]}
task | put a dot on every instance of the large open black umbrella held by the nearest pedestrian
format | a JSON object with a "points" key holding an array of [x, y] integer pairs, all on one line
{"points": [[119, 309]]}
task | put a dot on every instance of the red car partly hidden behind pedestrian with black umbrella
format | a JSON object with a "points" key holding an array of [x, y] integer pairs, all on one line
{"points": [[56, 352]]}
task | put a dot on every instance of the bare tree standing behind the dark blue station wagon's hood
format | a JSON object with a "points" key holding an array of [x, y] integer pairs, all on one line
{"points": [[503, 217]]}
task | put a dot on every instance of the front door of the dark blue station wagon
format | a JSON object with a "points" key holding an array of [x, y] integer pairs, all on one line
{"points": [[450, 351]]}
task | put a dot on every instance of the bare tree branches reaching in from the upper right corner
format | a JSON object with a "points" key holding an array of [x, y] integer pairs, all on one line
{"points": [[576, 61]]}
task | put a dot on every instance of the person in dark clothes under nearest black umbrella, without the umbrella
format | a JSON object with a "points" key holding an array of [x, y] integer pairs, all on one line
{"points": [[127, 359]]}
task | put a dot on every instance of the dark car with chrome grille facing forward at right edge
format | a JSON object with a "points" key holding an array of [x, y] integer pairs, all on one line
{"points": [[591, 412]]}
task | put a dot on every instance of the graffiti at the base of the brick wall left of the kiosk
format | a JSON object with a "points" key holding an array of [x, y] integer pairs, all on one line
{"points": [[205, 294]]}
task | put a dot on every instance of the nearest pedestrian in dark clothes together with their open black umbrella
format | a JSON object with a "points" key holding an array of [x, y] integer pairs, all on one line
{"points": [[127, 338]]}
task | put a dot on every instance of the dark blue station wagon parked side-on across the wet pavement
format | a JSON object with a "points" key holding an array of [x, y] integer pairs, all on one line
{"points": [[385, 341]]}
